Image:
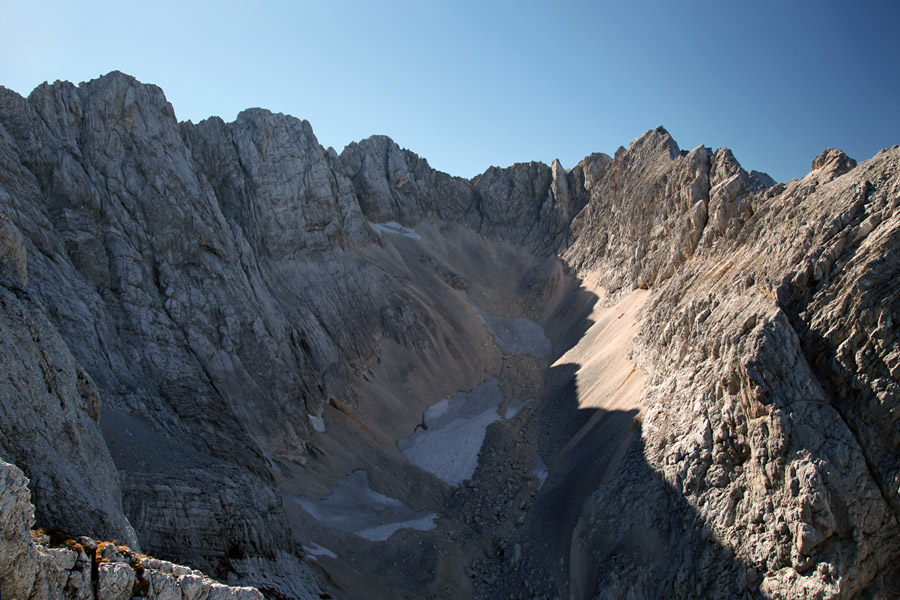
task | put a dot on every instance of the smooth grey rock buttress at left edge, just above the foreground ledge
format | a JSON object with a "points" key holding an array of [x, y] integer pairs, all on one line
{"points": [[50, 412]]}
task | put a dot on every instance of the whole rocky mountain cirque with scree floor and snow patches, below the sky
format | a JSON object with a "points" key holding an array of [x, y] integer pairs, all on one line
{"points": [[348, 375]]}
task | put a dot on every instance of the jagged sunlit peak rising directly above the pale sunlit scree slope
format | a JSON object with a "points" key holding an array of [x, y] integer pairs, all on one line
{"points": [[652, 205]]}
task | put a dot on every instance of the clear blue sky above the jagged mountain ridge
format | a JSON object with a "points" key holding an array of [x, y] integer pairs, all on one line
{"points": [[468, 84]]}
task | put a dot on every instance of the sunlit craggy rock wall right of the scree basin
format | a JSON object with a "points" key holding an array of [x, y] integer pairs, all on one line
{"points": [[771, 353]]}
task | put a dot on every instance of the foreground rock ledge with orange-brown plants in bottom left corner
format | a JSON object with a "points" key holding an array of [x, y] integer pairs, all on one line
{"points": [[33, 568]]}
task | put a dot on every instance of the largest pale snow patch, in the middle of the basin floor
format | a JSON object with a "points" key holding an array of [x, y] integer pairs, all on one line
{"points": [[454, 431]]}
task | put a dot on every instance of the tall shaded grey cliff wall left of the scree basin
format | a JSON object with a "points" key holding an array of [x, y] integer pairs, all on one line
{"points": [[204, 275]]}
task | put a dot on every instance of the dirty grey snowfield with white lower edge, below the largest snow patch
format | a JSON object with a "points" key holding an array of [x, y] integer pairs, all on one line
{"points": [[353, 506]]}
